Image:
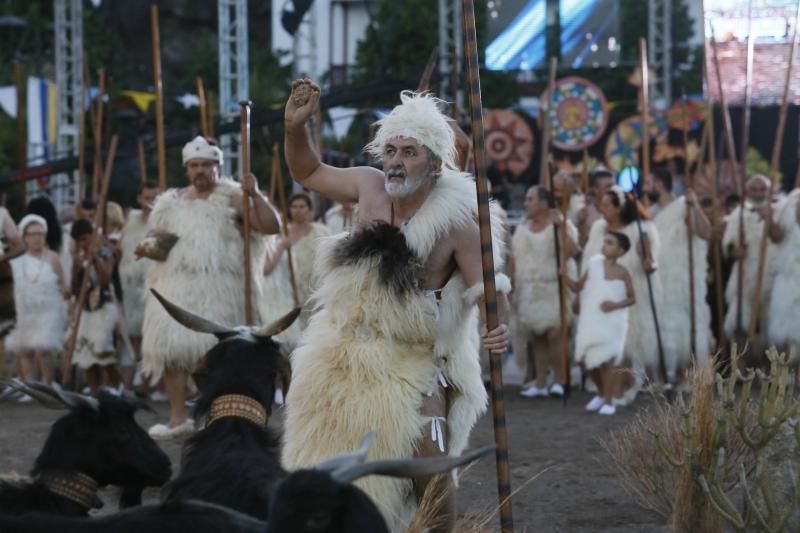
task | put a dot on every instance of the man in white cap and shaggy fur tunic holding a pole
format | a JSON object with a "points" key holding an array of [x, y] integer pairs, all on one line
{"points": [[203, 270]]}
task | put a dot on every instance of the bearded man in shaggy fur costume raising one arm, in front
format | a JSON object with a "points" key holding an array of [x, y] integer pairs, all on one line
{"points": [[393, 343]]}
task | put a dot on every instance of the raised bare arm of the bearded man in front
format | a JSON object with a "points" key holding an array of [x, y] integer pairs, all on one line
{"points": [[341, 184]]}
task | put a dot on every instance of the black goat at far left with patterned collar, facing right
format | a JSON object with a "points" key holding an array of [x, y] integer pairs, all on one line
{"points": [[97, 443]]}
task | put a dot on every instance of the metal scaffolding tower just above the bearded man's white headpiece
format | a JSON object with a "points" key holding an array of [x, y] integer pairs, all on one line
{"points": [[451, 52]]}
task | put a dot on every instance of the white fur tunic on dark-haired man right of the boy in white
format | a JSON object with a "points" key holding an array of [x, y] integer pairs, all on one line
{"points": [[673, 266]]}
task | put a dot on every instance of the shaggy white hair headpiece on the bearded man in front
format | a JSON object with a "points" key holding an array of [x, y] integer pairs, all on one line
{"points": [[418, 117]]}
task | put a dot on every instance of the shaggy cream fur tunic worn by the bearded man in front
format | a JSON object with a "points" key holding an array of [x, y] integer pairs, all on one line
{"points": [[371, 351]]}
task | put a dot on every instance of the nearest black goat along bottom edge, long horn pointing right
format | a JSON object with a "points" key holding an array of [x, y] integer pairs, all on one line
{"points": [[320, 500]]}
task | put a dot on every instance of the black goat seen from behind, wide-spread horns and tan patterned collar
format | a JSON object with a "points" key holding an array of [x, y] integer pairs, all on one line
{"points": [[234, 460]]}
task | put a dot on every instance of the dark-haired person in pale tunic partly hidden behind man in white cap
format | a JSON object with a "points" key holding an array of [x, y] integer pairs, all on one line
{"points": [[132, 270]]}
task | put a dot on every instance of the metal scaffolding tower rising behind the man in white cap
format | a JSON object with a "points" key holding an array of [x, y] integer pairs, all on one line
{"points": [[234, 81]]}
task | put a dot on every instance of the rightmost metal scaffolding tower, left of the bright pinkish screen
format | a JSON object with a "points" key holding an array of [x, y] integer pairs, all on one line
{"points": [[659, 48]]}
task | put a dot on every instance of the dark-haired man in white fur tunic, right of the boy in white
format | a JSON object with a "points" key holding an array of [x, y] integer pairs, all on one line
{"points": [[672, 218]]}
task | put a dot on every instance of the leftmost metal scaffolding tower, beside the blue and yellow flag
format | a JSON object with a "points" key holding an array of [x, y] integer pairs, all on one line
{"points": [[69, 71]]}
